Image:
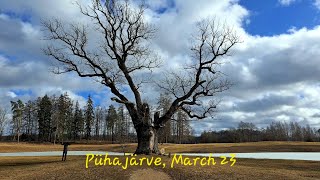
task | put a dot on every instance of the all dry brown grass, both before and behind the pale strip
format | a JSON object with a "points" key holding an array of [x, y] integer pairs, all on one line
{"points": [[75, 166]]}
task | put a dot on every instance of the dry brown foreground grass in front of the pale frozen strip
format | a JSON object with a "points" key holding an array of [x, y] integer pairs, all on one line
{"points": [[74, 168]]}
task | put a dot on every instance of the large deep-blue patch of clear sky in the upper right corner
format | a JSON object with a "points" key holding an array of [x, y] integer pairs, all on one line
{"points": [[270, 17]]}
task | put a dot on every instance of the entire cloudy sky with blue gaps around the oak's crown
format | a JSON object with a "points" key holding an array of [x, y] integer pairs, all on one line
{"points": [[275, 70]]}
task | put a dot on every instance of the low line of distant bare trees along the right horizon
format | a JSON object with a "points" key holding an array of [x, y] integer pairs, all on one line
{"points": [[276, 131]]}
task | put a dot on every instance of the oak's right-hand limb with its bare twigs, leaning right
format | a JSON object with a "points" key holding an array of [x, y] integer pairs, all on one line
{"points": [[202, 78]]}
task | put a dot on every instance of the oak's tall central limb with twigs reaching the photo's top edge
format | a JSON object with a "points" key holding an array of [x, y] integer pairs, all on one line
{"points": [[124, 32]]}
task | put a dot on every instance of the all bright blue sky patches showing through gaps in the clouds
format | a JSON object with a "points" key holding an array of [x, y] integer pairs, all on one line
{"points": [[267, 18]]}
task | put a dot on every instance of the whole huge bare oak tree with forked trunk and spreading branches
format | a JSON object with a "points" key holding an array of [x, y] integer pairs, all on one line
{"points": [[123, 51]]}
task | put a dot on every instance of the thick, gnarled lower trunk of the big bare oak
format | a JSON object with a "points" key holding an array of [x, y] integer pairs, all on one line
{"points": [[147, 140]]}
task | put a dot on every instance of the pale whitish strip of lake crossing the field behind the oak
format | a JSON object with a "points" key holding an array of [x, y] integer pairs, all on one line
{"points": [[310, 156]]}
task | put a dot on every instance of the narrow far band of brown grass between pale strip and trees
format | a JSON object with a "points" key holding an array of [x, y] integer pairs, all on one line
{"points": [[204, 148]]}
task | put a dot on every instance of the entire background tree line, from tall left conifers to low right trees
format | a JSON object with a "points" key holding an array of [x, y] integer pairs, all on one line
{"points": [[59, 118]]}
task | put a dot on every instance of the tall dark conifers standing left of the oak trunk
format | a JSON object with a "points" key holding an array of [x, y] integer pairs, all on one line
{"points": [[57, 119]]}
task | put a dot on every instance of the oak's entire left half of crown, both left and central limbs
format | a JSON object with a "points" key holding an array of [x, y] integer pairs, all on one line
{"points": [[123, 51]]}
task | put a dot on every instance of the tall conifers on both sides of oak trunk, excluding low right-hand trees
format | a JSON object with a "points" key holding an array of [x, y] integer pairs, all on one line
{"points": [[59, 118]]}
